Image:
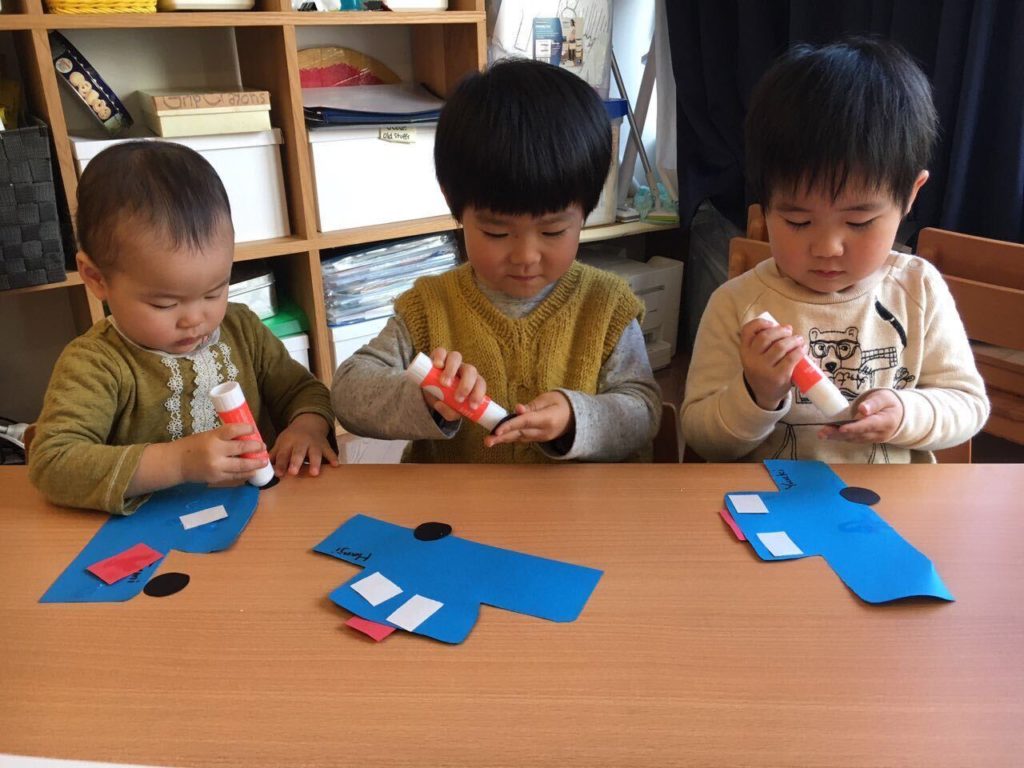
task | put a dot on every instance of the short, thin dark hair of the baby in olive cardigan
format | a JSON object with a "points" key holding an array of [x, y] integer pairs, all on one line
{"points": [[157, 187]]}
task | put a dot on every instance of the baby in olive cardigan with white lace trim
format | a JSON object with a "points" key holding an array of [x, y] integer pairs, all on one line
{"points": [[127, 411]]}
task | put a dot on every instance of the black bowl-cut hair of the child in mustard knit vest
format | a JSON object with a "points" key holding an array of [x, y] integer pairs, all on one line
{"points": [[523, 138]]}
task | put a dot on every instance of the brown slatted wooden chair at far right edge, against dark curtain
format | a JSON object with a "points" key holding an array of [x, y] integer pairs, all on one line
{"points": [[987, 279]]}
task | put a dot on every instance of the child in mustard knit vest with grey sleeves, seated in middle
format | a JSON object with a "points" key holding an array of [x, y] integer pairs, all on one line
{"points": [[522, 154]]}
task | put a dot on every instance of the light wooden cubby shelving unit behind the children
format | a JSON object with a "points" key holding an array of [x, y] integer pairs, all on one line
{"points": [[446, 46]]}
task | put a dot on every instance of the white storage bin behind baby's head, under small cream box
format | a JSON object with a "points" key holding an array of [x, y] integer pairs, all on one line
{"points": [[249, 166]]}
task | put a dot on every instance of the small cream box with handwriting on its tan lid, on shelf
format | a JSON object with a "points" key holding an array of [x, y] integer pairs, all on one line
{"points": [[199, 113]]}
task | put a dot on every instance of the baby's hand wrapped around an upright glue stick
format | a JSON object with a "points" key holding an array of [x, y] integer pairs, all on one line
{"points": [[216, 457]]}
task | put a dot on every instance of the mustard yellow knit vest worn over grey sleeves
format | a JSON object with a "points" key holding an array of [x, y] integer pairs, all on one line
{"points": [[563, 343]]}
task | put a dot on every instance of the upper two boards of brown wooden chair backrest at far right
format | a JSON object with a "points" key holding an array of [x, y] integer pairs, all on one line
{"points": [[987, 279]]}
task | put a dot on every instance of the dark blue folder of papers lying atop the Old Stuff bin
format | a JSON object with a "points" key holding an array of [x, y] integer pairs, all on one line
{"points": [[370, 105]]}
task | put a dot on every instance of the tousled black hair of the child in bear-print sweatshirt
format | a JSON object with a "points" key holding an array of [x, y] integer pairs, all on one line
{"points": [[859, 109]]}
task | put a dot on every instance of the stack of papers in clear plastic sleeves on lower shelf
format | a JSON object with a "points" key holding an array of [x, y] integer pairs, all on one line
{"points": [[362, 286]]}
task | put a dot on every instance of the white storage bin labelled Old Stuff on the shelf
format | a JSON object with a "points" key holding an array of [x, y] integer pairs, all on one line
{"points": [[366, 178]]}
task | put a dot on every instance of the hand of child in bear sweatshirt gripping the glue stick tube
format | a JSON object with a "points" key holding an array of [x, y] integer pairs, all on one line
{"points": [[769, 355]]}
